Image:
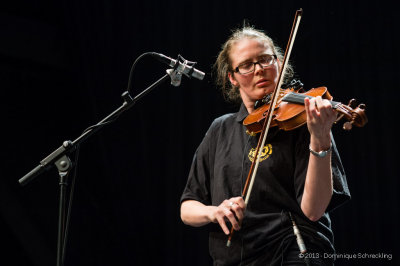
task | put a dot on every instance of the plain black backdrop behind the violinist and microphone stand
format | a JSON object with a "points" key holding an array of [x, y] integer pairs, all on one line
{"points": [[64, 65]]}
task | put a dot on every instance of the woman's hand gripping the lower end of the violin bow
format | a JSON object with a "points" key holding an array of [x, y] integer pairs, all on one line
{"points": [[230, 210]]}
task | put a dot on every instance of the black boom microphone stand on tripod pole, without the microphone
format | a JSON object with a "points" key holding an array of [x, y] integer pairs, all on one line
{"points": [[60, 158]]}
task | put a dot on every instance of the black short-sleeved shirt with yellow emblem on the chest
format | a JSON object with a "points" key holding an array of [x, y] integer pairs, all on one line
{"points": [[219, 169]]}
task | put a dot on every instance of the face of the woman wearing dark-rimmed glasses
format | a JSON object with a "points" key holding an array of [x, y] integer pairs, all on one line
{"points": [[262, 81]]}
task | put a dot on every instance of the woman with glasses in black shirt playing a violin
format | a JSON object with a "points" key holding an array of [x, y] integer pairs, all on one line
{"points": [[300, 176]]}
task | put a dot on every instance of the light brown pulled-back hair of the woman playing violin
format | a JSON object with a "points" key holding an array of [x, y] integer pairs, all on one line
{"points": [[223, 64]]}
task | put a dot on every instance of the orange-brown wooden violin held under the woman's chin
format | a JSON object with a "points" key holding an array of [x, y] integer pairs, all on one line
{"points": [[289, 112]]}
